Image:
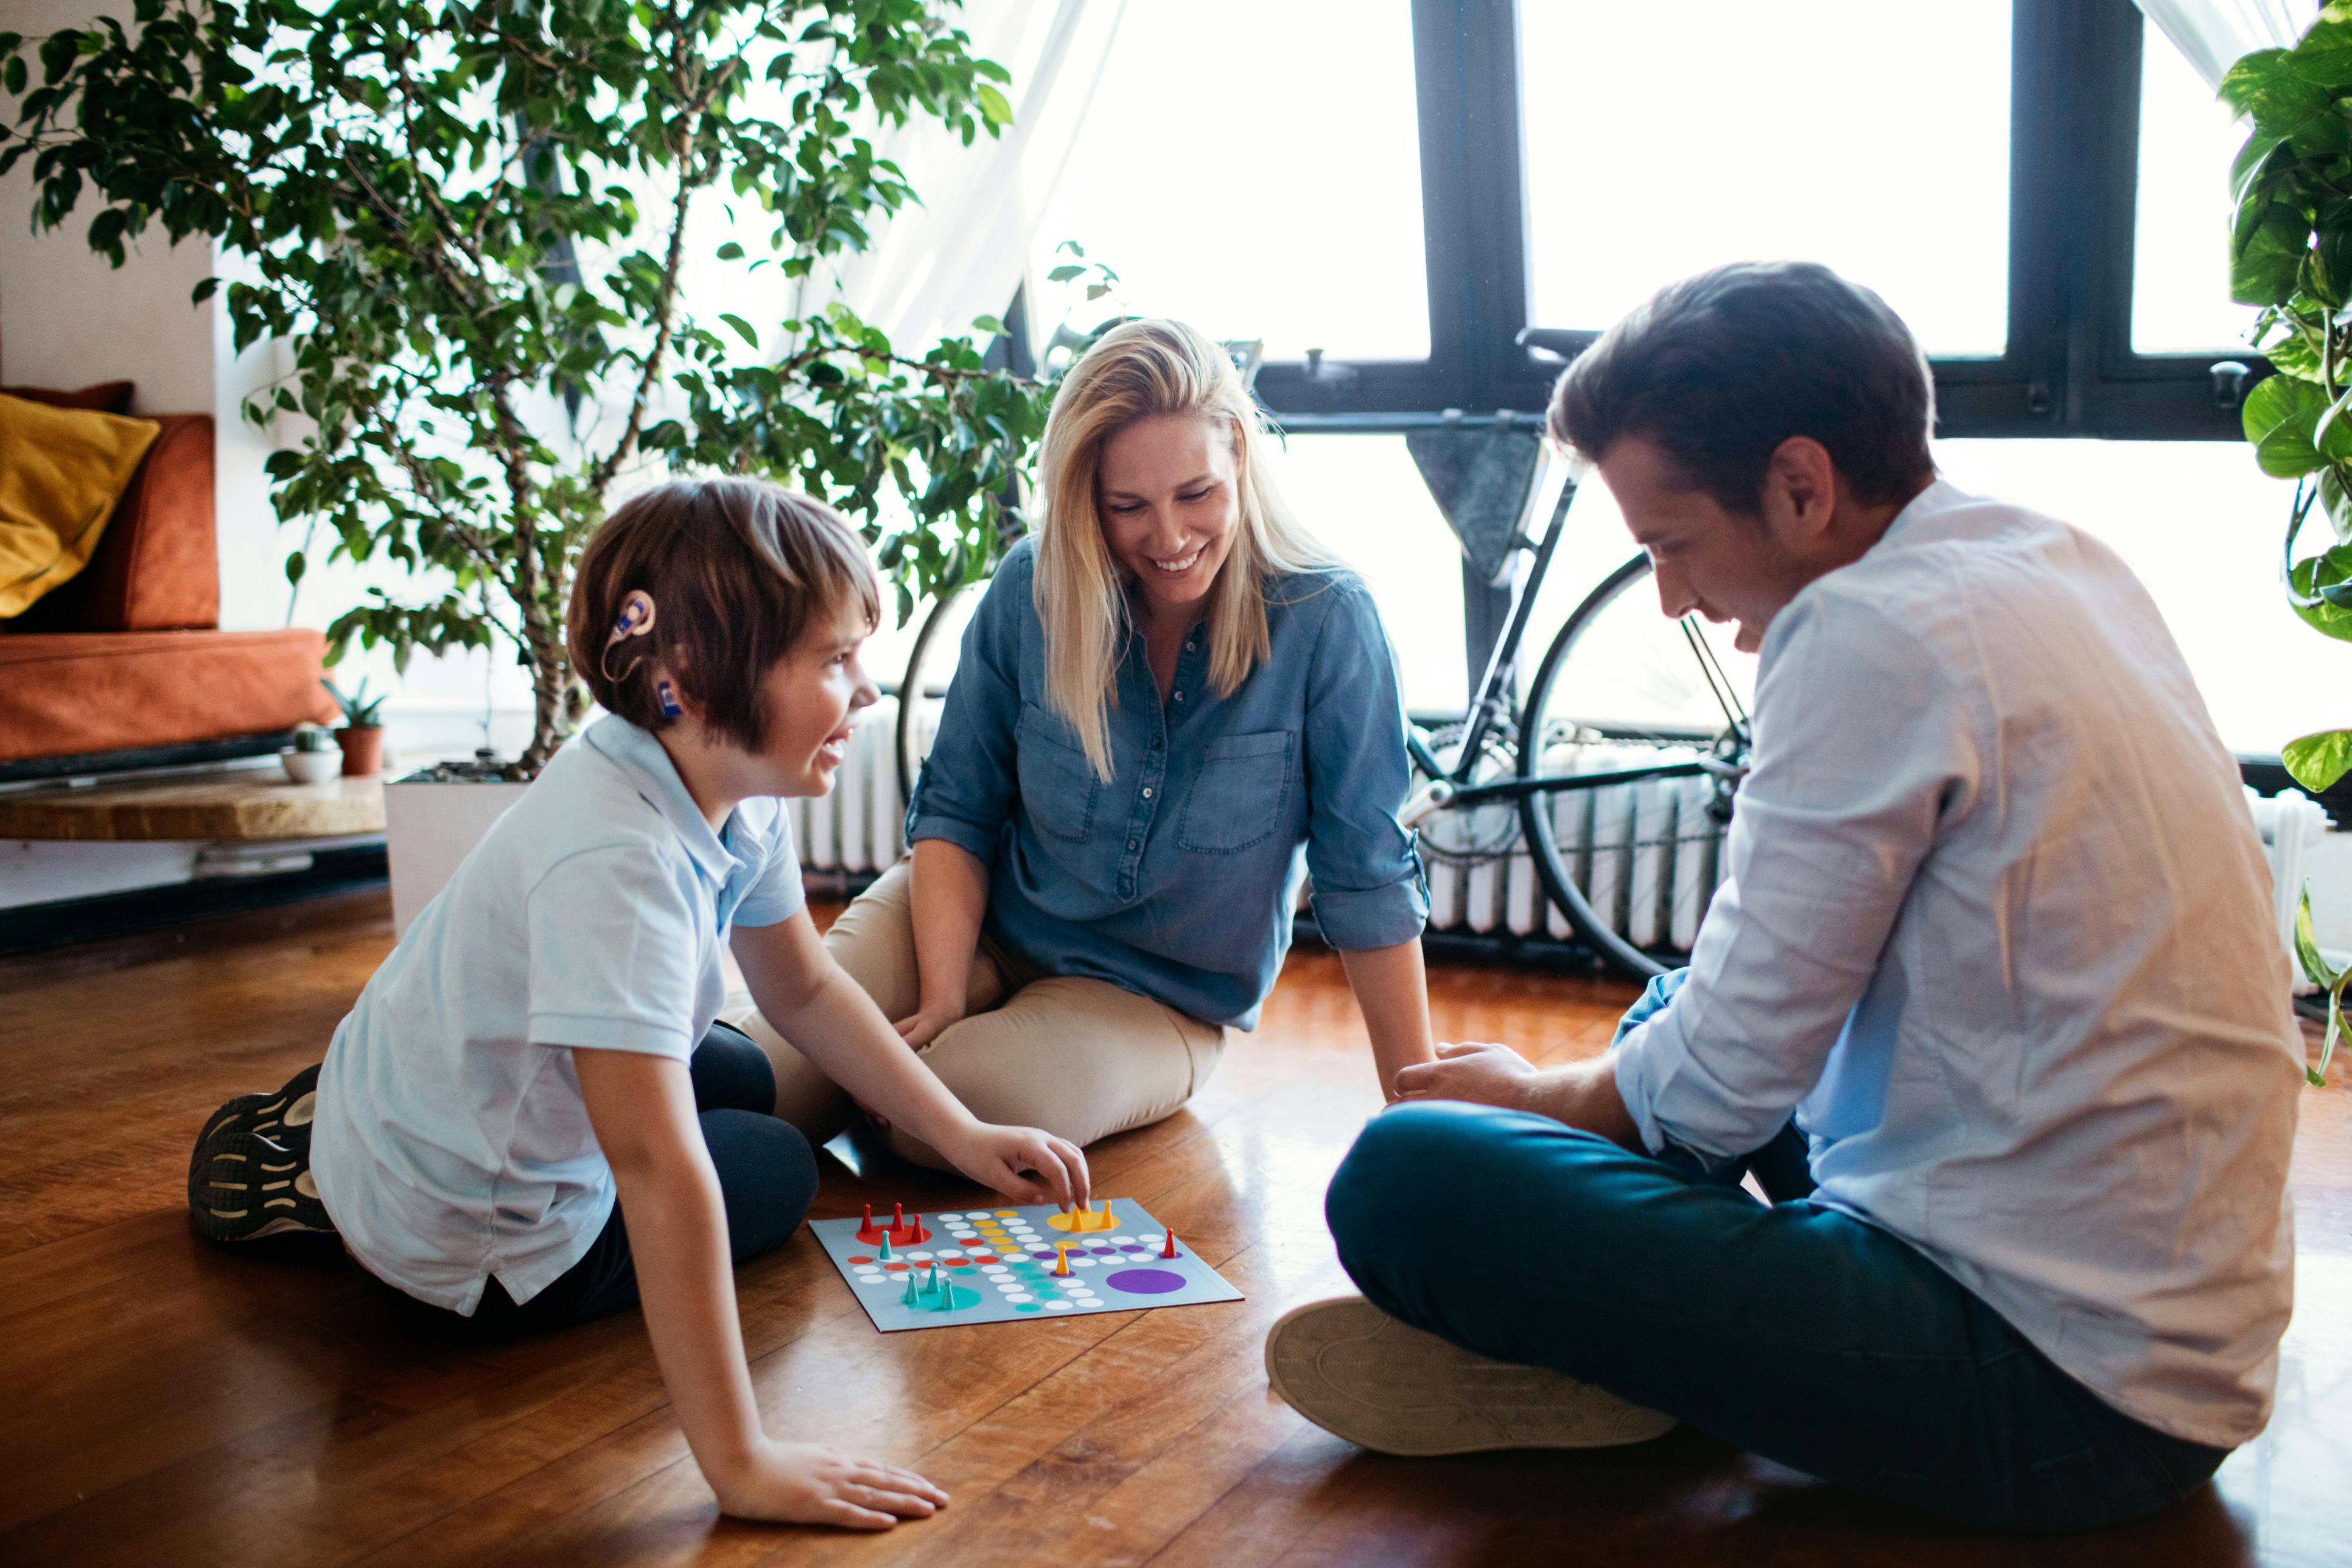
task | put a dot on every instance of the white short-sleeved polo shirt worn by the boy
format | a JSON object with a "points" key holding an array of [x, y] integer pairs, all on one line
{"points": [[453, 1144]]}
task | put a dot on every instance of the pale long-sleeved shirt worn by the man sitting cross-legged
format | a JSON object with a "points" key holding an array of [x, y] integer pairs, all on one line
{"points": [[1998, 930]]}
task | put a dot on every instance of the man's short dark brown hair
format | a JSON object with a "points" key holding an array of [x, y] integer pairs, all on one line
{"points": [[1718, 370]]}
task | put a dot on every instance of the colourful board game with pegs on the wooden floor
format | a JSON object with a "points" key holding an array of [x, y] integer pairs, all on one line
{"points": [[1001, 1266]]}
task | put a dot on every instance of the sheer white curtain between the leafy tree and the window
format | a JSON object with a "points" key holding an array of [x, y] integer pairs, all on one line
{"points": [[965, 248]]}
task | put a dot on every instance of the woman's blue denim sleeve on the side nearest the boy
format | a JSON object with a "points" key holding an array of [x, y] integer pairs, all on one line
{"points": [[968, 789]]}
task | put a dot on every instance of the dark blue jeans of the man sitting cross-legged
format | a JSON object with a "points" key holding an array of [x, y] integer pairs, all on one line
{"points": [[1791, 1329]]}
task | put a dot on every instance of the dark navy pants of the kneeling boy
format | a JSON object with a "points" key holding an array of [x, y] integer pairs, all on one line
{"points": [[768, 1177]]}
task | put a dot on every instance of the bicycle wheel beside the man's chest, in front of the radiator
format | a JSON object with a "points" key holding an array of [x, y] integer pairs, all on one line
{"points": [[1631, 866]]}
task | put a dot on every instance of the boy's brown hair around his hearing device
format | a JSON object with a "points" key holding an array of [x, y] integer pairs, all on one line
{"points": [[740, 572]]}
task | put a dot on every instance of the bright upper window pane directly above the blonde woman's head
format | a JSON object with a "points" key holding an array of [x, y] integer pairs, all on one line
{"points": [[1255, 170]]}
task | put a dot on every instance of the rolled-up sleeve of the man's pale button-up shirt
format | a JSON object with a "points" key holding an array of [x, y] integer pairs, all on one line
{"points": [[1862, 751]]}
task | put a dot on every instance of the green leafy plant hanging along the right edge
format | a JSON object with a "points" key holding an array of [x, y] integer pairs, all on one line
{"points": [[2292, 257]]}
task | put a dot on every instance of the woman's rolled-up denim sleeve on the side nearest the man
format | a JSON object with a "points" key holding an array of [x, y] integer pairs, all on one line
{"points": [[1363, 862]]}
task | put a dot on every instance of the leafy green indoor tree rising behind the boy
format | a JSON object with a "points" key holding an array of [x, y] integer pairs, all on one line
{"points": [[474, 232]]}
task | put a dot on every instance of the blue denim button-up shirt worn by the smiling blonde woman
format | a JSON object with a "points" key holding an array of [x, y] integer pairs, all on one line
{"points": [[1177, 878]]}
